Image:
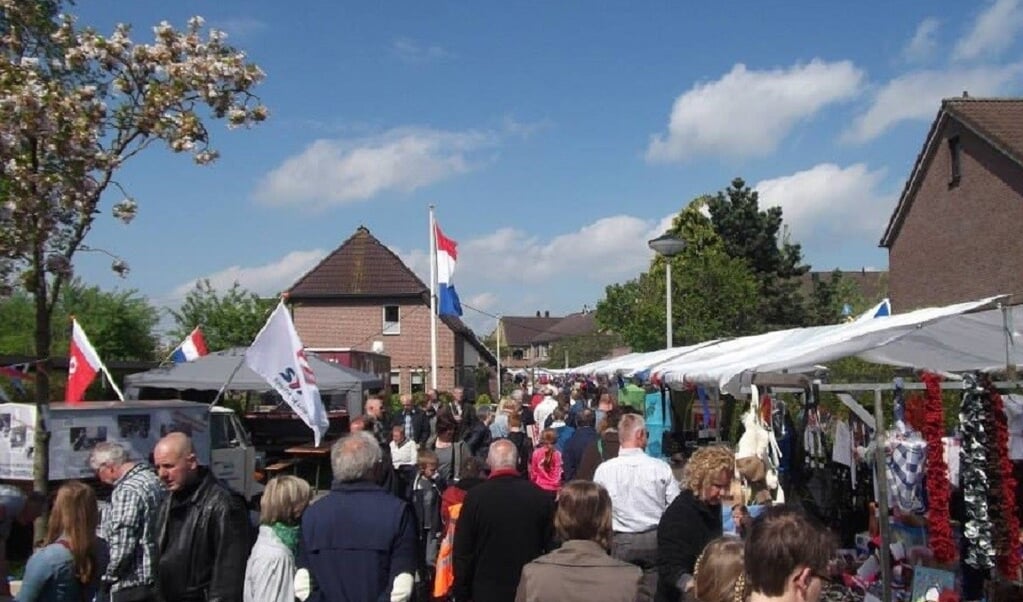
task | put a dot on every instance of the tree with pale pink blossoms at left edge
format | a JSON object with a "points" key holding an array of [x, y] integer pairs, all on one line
{"points": [[75, 107]]}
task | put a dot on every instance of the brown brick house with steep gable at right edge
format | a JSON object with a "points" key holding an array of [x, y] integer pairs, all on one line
{"points": [[955, 235]]}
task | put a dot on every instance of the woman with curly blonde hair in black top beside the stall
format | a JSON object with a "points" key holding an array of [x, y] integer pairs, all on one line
{"points": [[693, 520]]}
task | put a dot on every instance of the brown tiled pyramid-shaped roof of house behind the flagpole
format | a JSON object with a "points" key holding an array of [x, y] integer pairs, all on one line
{"points": [[362, 267]]}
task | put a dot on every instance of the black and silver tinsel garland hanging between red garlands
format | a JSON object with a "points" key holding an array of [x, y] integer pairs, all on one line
{"points": [[973, 475]]}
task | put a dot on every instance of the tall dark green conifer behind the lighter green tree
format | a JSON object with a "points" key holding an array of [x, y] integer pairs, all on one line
{"points": [[759, 238]]}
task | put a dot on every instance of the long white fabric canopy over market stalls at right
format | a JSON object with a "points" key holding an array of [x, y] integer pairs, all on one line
{"points": [[977, 335]]}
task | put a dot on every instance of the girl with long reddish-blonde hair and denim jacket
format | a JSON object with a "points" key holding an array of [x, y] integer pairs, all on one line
{"points": [[68, 569]]}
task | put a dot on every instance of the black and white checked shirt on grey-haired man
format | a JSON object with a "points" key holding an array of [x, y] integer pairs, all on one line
{"points": [[129, 527]]}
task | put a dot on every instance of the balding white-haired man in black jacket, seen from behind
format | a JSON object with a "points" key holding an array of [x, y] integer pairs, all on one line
{"points": [[505, 524]]}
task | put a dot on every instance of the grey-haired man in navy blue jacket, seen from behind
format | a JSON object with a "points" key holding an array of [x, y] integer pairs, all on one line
{"points": [[360, 542]]}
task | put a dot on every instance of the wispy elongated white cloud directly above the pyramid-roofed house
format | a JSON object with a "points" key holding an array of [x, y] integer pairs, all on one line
{"points": [[339, 173]]}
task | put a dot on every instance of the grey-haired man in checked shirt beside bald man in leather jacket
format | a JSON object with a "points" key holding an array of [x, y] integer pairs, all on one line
{"points": [[130, 523]]}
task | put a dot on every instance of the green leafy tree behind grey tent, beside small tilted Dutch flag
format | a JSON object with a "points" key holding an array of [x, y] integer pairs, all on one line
{"points": [[232, 320]]}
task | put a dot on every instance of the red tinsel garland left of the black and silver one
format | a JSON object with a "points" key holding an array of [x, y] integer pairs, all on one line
{"points": [[940, 529]]}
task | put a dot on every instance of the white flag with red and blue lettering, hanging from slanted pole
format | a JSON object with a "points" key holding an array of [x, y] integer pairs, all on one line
{"points": [[277, 356]]}
